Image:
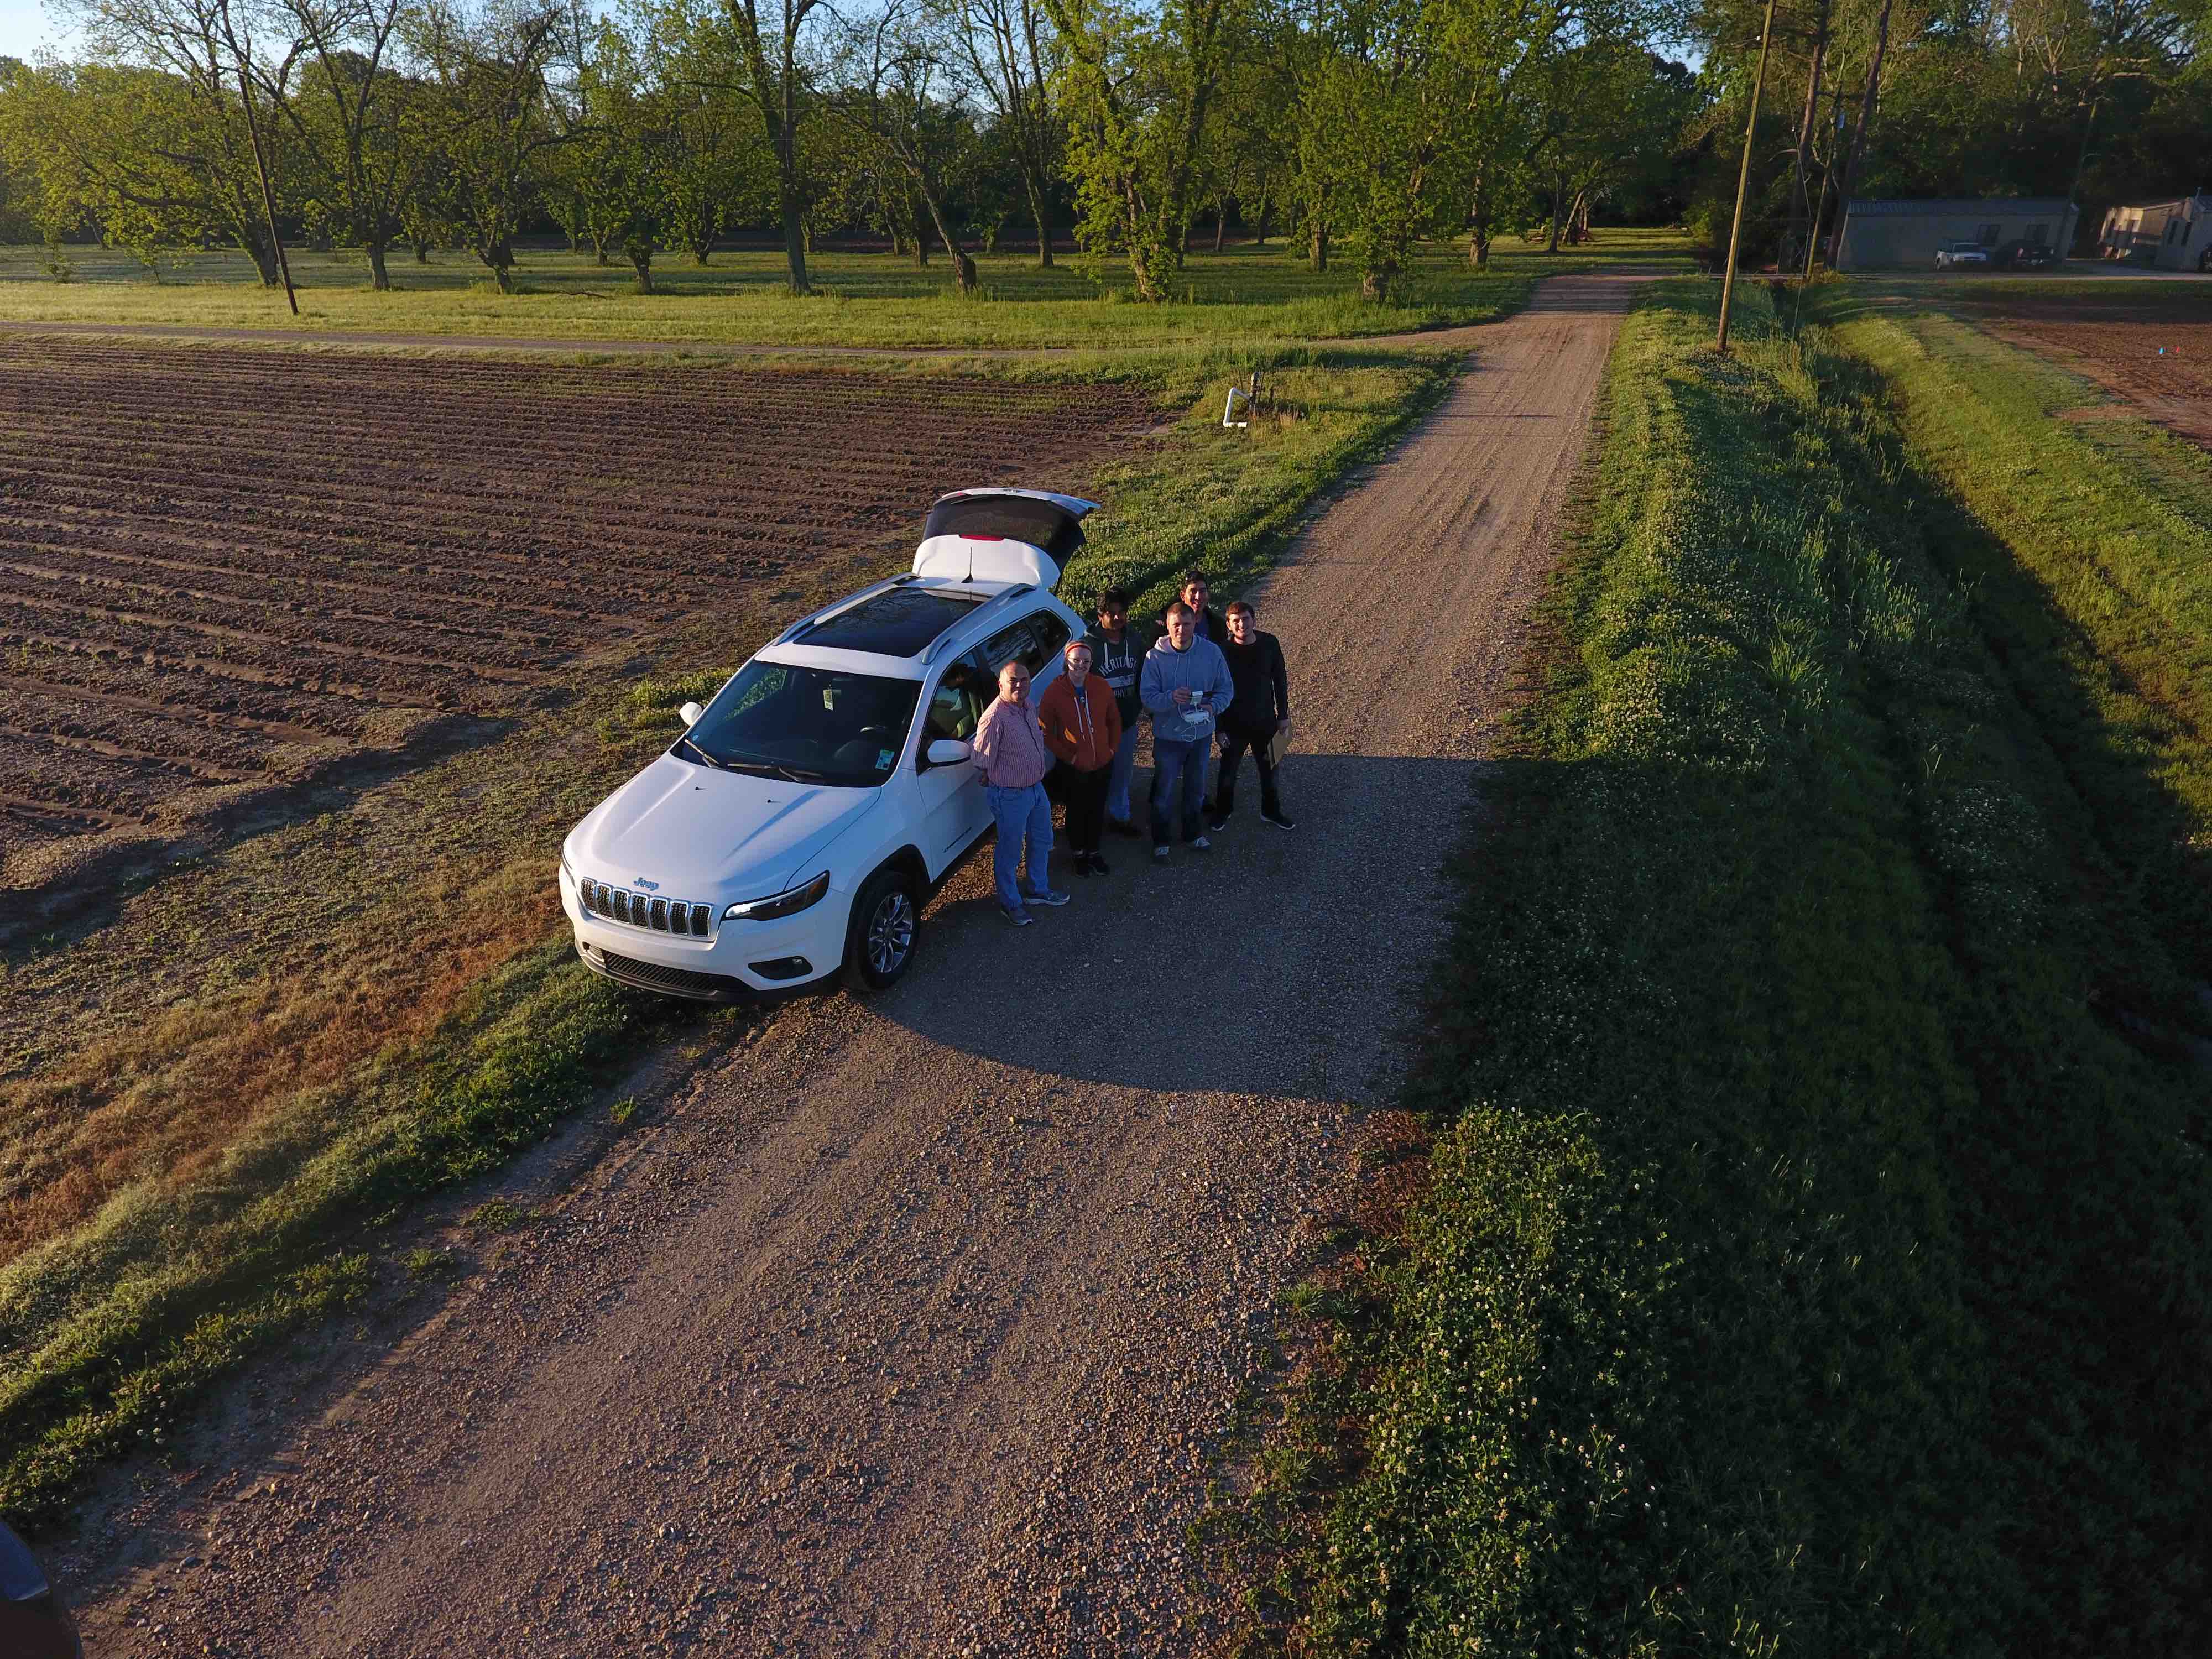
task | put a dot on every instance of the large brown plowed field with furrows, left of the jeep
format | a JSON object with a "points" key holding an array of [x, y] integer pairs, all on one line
{"points": [[233, 570]]}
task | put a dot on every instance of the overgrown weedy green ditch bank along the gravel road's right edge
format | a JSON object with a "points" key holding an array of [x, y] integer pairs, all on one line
{"points": [[1806, 1262]]}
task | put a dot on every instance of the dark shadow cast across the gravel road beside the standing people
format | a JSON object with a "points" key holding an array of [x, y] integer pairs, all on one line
{"points": [[1242, 970]]}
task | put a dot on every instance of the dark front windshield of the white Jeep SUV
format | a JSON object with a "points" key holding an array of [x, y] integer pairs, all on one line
{"points": [[804, 724]]}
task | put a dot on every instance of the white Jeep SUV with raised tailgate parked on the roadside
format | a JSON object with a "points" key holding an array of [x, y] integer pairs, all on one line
{"points": [[828, 789]]}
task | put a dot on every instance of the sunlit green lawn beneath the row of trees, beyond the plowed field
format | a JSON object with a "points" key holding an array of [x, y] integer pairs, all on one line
{"points": [[866, 300]]}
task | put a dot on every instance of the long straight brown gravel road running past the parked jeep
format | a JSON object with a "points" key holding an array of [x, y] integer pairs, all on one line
{"points": [[910, 1326]]}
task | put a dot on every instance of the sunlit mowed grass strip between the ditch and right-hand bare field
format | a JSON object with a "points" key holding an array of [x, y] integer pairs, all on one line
{"points": [[2089, 552]]}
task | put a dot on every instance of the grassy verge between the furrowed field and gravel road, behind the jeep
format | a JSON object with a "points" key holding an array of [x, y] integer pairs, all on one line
{"points": [[112, 1326]]}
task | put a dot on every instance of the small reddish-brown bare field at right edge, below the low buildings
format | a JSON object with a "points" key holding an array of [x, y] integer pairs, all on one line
{"points": [[2156, 355]]}
